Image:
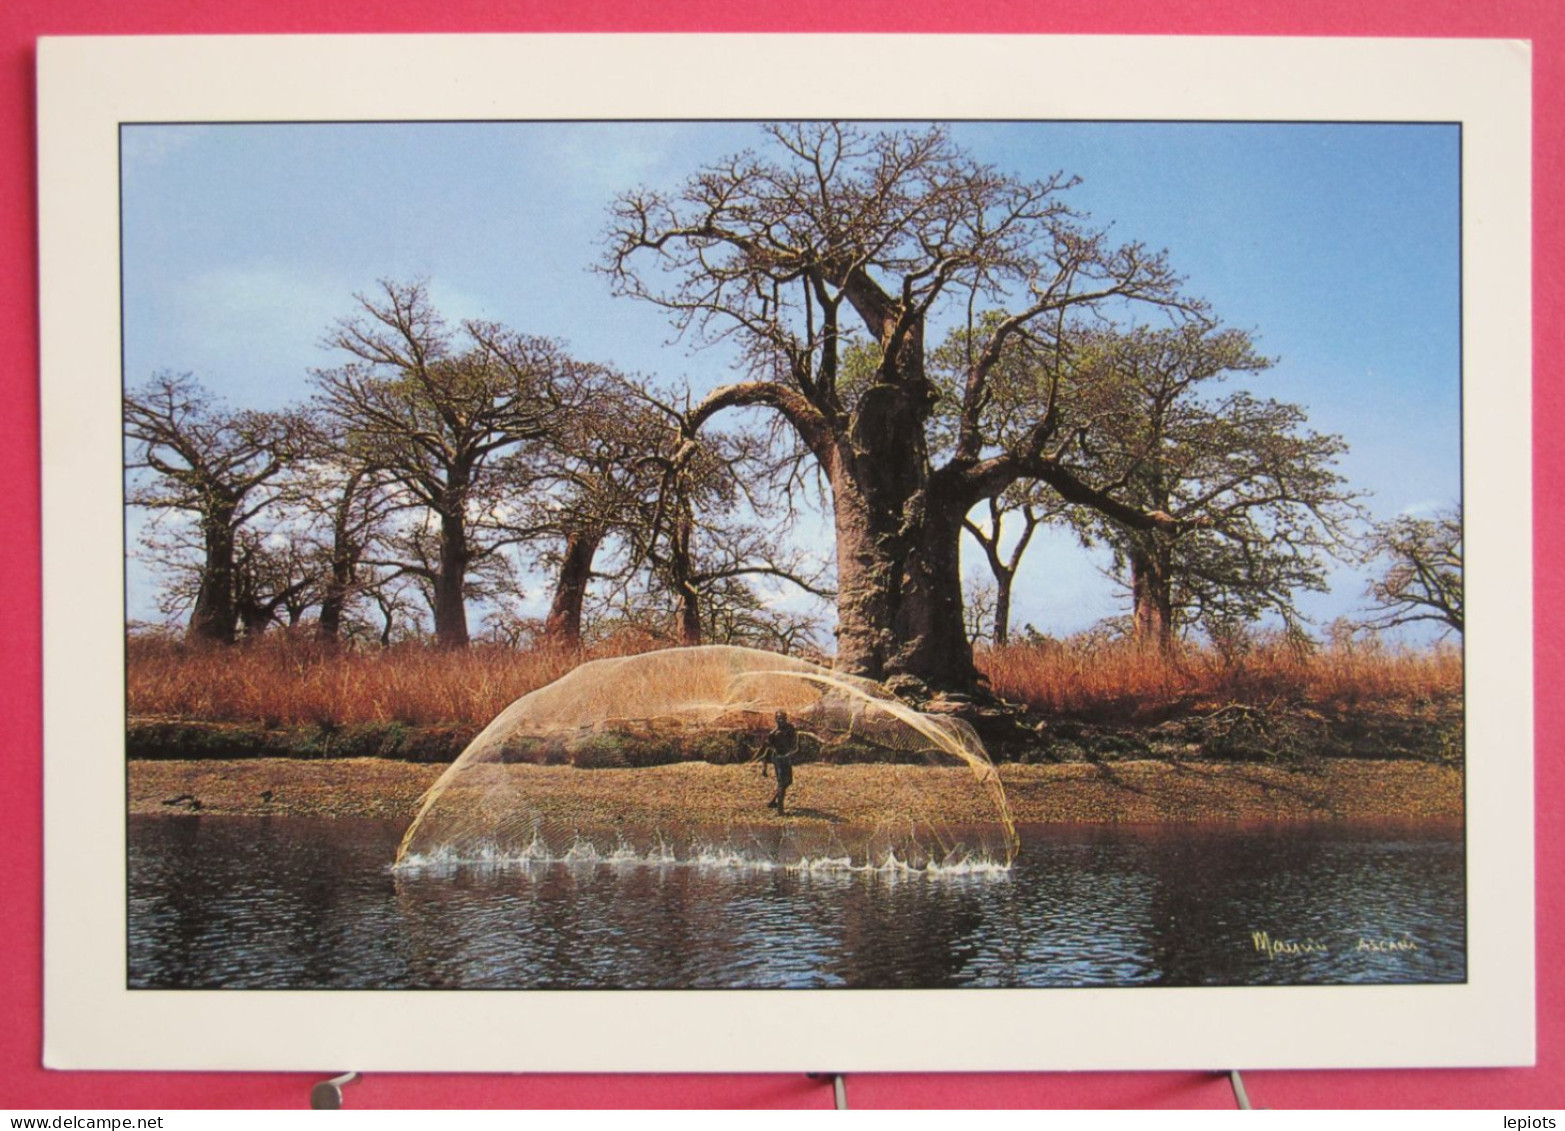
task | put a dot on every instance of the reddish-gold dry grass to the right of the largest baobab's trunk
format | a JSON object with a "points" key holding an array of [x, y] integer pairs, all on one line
{"points": [[1128, 684]]}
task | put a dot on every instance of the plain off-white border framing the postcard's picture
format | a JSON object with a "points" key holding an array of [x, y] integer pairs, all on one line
{"points": [[88, 87]]}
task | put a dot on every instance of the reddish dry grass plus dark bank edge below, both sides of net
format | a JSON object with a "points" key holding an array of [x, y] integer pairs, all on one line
{"points": [[1084, 702]]}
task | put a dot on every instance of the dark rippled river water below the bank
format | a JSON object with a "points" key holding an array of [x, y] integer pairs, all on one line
{"points": [[257, 903]]}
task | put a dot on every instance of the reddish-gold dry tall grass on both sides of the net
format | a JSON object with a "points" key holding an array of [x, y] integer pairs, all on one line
{"points": [[286, 681]]}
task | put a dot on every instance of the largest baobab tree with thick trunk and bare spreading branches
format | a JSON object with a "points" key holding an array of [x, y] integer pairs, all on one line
{"points": [[841, 231]]}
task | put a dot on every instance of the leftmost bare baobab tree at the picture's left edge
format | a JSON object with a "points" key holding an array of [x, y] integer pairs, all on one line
{"points": [[218, 467]]}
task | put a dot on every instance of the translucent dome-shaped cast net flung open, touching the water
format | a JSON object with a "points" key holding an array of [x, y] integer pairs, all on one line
{"points": [[661, 759]]}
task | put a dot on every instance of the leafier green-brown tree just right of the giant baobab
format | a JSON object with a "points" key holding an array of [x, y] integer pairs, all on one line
{"points": [[1257, 501]]}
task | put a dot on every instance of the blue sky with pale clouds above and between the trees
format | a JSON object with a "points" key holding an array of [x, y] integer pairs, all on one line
{"points": [[1336, 245]]}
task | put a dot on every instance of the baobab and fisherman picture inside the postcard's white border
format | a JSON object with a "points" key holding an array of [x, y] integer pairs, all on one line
{"points": [[793, 555]]}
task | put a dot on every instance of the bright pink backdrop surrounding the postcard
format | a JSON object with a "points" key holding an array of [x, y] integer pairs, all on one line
{"points": [[26, 1085]]}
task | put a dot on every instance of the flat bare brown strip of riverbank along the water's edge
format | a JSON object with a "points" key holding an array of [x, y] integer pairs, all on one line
{"points": [[1137, 791]]}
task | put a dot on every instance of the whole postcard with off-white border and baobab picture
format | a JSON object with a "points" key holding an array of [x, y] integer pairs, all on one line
{"points": [[558, 540]]}
